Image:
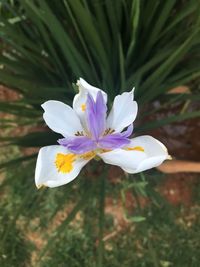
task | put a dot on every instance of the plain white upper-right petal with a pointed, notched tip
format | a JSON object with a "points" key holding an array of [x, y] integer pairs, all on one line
{"points": [[123, 112]]}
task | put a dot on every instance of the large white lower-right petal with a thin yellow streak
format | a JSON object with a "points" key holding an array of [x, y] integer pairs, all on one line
{"points": [[134, 161]]}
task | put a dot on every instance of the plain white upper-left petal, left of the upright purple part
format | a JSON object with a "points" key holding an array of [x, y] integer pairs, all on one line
{"points": [[61, 118]]}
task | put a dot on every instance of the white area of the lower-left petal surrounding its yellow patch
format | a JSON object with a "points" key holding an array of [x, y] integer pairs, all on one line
{"points": [[46, 172]]}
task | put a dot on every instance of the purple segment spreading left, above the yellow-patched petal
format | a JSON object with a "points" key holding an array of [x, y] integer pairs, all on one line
{"points": [[78, 144]]}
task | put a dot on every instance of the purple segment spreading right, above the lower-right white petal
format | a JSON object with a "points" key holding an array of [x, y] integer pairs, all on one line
{"points": [[113, 141]]}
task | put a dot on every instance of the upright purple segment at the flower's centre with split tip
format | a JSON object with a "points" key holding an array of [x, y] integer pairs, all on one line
{"points": [[96, 115]]}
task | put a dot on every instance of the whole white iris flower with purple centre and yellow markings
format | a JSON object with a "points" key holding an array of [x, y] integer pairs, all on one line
{"points": [[88, 133]]}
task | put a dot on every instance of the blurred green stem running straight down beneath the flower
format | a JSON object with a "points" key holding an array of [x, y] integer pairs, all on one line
{"points": [[100, 249]]}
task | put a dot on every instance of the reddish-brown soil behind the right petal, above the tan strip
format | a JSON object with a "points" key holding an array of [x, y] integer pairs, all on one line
{"points": [[181, 138]]}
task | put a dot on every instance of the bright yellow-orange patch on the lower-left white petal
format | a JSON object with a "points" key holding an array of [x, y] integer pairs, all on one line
{"points": [[64, 162]]}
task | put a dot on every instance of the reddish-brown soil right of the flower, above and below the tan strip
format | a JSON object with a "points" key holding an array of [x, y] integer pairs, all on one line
{"points": [[183, 142]]}
